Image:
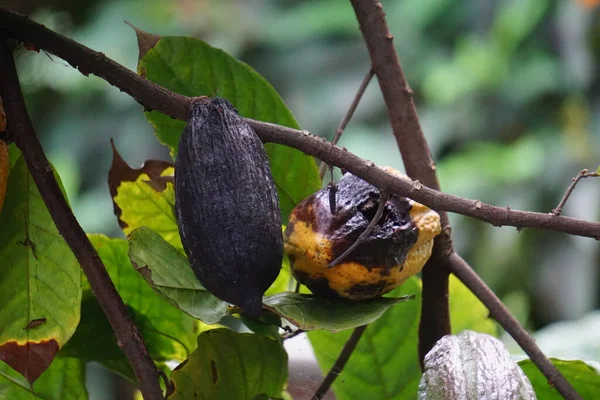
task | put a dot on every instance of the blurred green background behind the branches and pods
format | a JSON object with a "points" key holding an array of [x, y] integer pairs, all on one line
{"points": [[507, 92]]}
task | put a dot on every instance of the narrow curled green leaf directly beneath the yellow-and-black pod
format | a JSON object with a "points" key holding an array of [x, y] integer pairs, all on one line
{"points": [[309, 312]]}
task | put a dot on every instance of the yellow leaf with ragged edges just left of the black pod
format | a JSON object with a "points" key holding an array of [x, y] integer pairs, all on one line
{"points": [[142, 204]]}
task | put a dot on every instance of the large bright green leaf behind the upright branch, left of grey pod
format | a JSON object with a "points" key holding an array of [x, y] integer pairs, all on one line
{"points": [[389, 345]]}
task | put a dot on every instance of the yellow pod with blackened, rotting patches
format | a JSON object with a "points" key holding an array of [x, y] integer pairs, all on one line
{"points": [[396, 249]]}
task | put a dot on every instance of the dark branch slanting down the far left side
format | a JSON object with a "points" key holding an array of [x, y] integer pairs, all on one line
{"points": [[24, 136]]}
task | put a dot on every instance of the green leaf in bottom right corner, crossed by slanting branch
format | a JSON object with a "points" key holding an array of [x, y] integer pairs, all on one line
{"points": [[584, 378]]}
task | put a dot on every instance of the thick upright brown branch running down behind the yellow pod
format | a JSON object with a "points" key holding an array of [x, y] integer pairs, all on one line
{"points": [[398, 96]]}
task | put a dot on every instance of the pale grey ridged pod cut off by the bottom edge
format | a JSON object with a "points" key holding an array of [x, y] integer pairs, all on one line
{"points": [[472, 365]]}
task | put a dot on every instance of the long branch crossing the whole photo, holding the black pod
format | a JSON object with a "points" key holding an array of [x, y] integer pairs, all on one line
{"points": [[175, 105]]}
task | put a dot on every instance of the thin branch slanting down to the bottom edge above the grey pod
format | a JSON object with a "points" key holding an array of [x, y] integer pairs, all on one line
{"points": [[501, 314]]}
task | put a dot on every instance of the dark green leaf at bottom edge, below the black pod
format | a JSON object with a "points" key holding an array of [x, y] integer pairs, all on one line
{"points": [[231, 366]]}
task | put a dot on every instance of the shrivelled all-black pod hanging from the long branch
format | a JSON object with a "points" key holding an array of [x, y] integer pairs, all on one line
{"points": [[227, 206]]}
